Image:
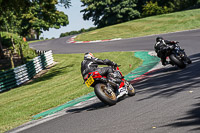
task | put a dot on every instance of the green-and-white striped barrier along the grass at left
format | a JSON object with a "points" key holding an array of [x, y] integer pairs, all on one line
{"points": [[19, 75]]}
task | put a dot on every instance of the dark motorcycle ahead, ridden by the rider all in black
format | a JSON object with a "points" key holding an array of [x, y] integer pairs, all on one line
{"points": [[178, 56]]}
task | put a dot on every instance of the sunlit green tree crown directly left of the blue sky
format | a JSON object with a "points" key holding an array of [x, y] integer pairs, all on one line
{"points": [[42, 16]]}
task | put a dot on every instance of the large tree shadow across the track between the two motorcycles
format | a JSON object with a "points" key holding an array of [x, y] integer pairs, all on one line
{"points": [[171, 80]]}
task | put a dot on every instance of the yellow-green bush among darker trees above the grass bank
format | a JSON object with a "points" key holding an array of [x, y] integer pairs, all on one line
{"points": [[153, 9]]}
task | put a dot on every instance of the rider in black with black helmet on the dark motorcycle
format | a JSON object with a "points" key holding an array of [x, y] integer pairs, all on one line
{"points": [[161, 46]]}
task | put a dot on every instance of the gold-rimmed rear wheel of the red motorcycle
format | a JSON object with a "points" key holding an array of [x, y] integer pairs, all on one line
{"points": [[107, 97]]}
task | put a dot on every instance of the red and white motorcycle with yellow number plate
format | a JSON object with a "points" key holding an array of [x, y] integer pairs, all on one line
{"points": [[107, 90]]}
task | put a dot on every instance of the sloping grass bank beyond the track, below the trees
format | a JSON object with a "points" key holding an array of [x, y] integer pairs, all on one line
{"points": [[166, 23]]}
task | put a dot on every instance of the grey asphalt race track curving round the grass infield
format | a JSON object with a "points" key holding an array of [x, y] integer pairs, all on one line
{"points": [[167, 101]]}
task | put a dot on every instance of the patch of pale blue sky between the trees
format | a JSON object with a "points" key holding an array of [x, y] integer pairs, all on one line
{"points": [[75, 18]]}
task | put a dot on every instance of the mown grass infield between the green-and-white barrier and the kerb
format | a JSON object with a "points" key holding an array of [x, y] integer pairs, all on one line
{"points": [[61, 84]]}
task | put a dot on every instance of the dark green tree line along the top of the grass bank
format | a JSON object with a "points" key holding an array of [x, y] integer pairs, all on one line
{"points": [[109, 12]]}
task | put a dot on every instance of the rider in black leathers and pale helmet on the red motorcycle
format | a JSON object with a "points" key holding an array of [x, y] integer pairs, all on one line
{"points": [[90, 64]]}
